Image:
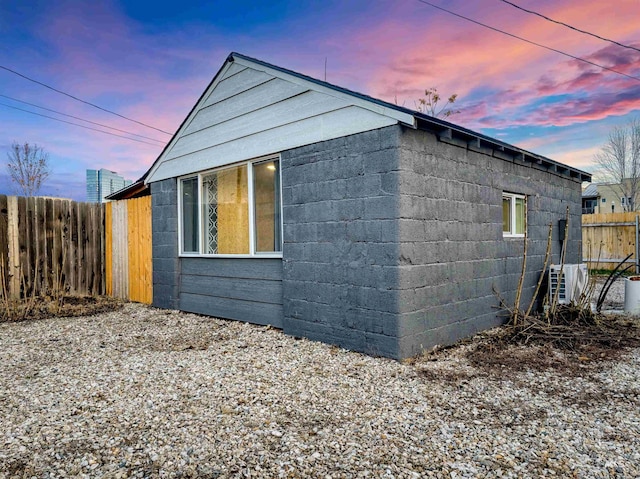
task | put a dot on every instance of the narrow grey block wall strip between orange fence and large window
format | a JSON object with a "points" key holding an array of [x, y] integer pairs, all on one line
{"points": [[164, 201]]}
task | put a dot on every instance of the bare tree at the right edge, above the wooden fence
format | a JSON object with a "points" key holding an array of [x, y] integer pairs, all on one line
{"points": [[619, 162]]}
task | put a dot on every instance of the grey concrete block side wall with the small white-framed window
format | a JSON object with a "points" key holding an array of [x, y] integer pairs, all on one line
{"points": [[452, 251]]}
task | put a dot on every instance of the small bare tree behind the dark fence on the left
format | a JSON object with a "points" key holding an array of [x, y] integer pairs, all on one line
{"points": [[28, 167]]}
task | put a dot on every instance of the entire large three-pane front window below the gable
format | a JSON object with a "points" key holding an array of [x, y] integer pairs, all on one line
{"points": [[233, 210]]}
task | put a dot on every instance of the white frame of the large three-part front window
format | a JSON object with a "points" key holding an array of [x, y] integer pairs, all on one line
{"points": [[251, 213]]}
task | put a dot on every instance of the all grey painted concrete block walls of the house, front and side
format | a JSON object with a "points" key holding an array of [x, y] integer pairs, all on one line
{"points": [[393, 240]]}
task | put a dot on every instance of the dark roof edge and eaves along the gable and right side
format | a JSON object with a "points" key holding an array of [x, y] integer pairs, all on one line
{"points": [[445, 131]]}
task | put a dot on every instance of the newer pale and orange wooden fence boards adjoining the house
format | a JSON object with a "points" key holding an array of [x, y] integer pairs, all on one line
{"points": [[128, 254]]}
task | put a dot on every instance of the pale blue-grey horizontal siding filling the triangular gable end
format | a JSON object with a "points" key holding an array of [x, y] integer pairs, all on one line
{"points": [[252, 110]]}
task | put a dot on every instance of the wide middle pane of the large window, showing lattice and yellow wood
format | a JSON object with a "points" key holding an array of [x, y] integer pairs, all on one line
{"points": [[226, 211]]}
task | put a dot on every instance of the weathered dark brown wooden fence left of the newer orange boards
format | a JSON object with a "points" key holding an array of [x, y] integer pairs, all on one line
{"points": [[47, 244]]}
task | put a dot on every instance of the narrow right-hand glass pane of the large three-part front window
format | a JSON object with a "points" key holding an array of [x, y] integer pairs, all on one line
{"points": [[266, 197]]}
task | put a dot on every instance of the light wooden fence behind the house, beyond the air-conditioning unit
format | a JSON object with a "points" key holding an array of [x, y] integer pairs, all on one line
{"points": [[607, 238]]}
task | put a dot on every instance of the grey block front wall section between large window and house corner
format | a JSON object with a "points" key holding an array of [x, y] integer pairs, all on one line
{"points": [[340, 252]]}
